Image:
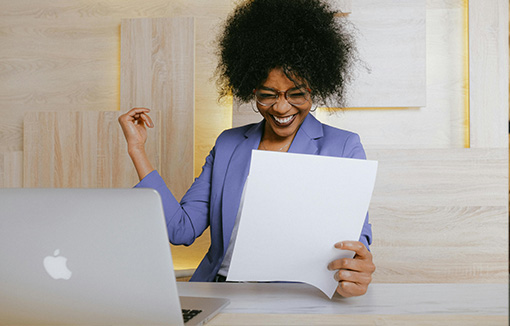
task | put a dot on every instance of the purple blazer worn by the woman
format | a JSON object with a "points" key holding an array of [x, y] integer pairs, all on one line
{"points": [[213, 199]]}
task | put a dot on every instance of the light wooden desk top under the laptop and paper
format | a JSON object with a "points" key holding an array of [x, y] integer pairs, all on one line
{"points": [[384, 304]]}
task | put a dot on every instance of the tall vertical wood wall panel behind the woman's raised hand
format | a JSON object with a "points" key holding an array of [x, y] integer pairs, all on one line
{"points": [[157, 72]]}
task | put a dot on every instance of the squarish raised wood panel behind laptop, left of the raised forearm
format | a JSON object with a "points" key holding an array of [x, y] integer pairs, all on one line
{"points": [[79, 149]]}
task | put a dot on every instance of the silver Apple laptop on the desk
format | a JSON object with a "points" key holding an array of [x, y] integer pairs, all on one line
{"points": [[89, 257]]}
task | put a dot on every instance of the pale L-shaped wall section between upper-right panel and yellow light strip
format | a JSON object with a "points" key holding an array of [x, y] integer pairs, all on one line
{"points": [[441, 124]]}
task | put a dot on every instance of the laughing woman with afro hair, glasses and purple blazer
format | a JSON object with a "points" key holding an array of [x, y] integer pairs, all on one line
{"points": [[281, 55]]}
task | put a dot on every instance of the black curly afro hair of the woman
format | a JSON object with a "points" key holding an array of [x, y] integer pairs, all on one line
{"points": [[302, 37]]}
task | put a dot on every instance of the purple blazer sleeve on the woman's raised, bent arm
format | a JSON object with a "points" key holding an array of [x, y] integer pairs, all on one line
{"points": [[188, 219]]}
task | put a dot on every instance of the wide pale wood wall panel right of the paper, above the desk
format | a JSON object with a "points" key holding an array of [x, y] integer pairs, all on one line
{"points": [[440, 216]]}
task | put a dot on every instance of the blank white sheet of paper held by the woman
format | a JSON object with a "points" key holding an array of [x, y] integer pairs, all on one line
{"points": [[295, 208]]}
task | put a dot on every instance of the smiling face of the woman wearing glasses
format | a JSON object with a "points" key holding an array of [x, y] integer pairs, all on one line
{"points": [[282, 118]]}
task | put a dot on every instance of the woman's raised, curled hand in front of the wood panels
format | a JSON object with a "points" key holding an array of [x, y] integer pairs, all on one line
{"points": [[134, 124]]}
